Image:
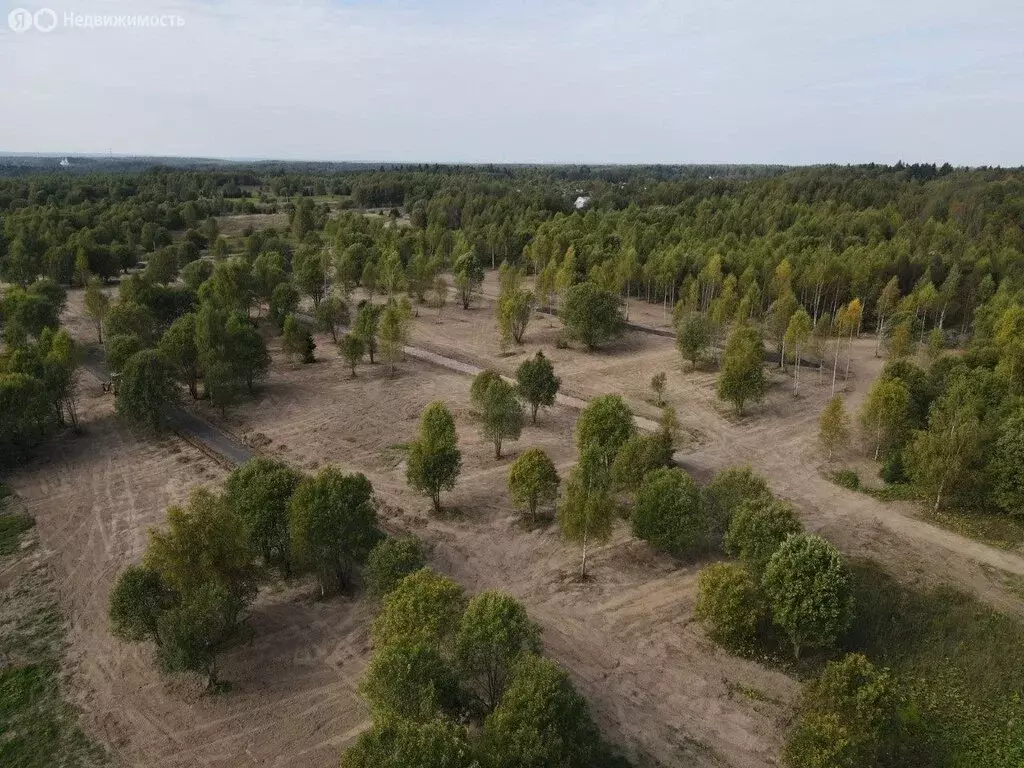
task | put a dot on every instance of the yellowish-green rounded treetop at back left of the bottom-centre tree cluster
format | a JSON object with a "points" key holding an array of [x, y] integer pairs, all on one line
{"points": [[424, 609]]}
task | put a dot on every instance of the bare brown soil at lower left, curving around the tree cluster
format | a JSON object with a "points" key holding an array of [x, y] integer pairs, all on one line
{"points": [[293, 699]]}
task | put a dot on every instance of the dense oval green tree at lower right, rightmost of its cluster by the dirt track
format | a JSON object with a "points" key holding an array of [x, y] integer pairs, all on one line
{"points": [[808, 589]]}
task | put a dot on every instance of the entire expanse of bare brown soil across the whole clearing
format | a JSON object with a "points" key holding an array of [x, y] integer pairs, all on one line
{"points": [[657, 686]]}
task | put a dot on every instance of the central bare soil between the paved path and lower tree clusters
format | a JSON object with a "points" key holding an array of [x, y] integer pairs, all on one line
{"points": [[657, 686]]}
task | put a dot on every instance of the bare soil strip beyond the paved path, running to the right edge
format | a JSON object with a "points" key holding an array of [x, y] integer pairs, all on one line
{"points": [[779, 439]]}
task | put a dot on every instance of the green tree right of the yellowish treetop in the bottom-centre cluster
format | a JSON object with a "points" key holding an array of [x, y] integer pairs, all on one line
{"points": [[494, 635]]}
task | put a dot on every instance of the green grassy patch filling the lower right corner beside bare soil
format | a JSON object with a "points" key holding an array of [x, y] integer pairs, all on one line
{"points": [[961, 665]]}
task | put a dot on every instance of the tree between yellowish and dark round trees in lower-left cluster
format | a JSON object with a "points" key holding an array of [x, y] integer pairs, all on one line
{"points": [[261, 493]]}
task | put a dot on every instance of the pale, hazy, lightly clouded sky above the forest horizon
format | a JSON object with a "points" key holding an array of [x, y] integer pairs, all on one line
{"points": [[527, 81]]}
